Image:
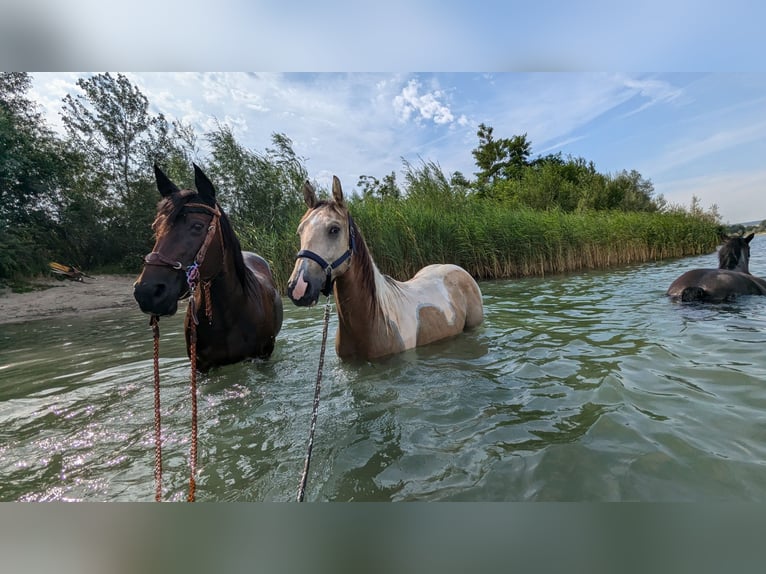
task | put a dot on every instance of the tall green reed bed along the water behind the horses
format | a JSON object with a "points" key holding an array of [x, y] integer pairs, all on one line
{"points": [[493, 241]]}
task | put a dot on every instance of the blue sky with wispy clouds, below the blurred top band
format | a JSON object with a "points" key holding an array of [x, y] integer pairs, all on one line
{"points": [[700, 134]]}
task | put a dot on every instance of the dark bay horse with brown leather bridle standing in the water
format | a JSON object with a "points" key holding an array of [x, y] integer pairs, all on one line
{"points": [[235, 304]]}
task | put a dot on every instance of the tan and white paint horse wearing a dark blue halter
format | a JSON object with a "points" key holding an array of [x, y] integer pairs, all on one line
{"points": [[377, 315]]}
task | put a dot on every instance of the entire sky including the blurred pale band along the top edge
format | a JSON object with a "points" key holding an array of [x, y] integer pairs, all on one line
{"points": [[571, 75]]}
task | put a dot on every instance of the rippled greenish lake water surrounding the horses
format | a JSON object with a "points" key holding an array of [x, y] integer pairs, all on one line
{"points": [[587, 387]]}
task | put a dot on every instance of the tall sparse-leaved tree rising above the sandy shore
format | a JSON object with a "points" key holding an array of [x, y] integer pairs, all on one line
{"points": [[109, 126]]}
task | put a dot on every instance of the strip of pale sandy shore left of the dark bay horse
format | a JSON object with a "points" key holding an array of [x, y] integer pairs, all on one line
{"points": [[60, 298]]}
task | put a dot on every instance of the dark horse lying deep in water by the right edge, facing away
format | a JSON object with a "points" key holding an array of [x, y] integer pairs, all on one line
{"points": [[732, 277]]}
